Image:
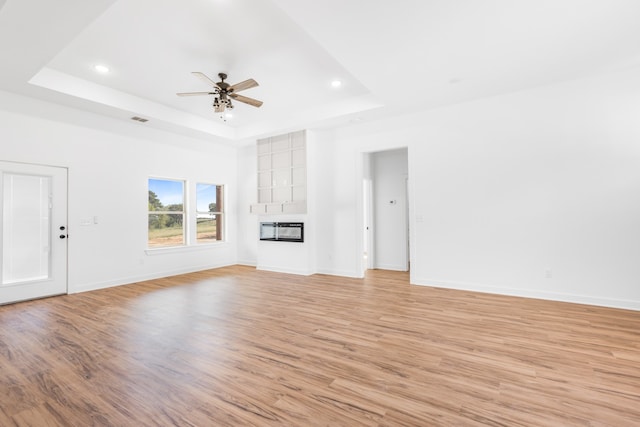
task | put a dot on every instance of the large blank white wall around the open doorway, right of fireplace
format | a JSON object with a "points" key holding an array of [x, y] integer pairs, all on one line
{"points": [[505, 190]]}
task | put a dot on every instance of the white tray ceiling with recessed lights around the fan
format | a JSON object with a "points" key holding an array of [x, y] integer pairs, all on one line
{"points": [[392, 57]]}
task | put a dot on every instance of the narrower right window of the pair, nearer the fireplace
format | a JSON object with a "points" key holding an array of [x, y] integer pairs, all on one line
{"points": [[208, 213]]}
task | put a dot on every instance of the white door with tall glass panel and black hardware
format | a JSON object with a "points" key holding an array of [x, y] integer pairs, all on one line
{"points": [[33, 220]]}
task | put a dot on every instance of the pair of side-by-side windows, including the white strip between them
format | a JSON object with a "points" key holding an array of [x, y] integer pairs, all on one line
{"points": [[172, 219]]}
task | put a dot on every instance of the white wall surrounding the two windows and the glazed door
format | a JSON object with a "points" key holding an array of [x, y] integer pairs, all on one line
{"points": [[108, 172]]}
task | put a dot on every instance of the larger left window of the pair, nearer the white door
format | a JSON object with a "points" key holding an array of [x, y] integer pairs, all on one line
{"points": [[166, 213]]}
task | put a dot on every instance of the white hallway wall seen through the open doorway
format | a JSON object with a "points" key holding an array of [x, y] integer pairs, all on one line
{"points": [[390, 209]]}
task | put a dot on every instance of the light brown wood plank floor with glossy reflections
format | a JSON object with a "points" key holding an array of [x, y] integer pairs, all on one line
{"points": [[237, 347]]}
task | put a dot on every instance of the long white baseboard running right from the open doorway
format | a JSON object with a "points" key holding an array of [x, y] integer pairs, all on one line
{"points": [[531, 293]]}
